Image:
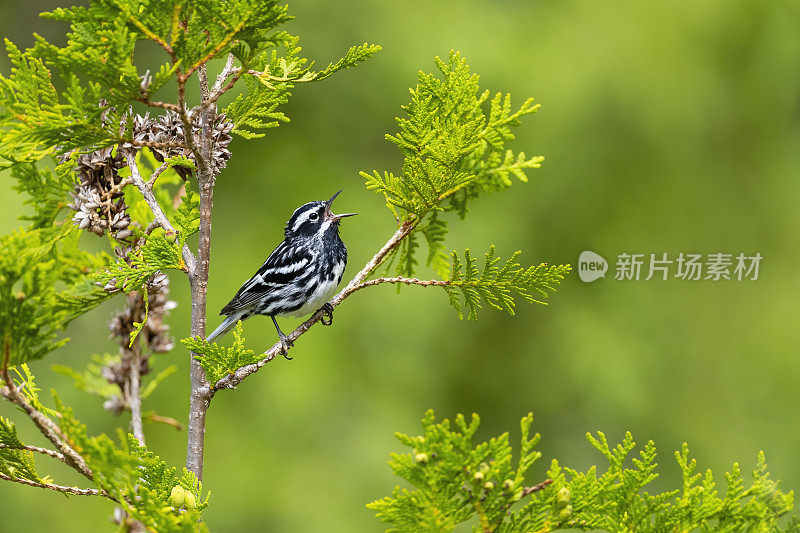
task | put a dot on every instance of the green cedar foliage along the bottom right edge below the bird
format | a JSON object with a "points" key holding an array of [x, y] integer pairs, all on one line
{"points": [[455, 481]]}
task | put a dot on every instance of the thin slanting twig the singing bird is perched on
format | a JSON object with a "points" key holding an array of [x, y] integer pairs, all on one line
{"points": [[232, 380]]}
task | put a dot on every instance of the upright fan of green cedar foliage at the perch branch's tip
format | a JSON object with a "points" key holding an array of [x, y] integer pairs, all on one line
{"points": [[453, 147]]}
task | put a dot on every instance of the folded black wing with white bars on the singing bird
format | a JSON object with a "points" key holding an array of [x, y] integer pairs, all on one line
{"points": [[285, 265]]}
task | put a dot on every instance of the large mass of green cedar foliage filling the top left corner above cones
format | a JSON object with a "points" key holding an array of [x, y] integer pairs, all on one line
{"points": [[97, 63]]}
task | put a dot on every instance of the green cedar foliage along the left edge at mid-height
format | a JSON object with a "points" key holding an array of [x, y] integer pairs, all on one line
{"points": [[45, 278]]}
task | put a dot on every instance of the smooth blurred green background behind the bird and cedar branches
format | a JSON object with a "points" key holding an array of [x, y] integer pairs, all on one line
{"points": [[667, 127]]}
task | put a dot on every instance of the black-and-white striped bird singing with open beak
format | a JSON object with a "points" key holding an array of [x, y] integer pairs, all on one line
{"points": [[299, 277]]}
